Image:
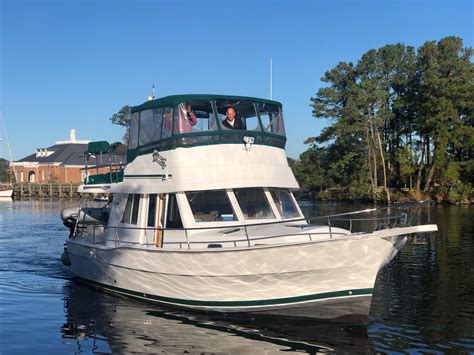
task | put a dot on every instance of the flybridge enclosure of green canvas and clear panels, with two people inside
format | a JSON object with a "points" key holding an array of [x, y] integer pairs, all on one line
{"points": [[191, 120]]}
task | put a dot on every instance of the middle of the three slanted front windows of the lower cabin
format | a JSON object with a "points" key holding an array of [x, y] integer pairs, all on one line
{"points": [[253, 203]]}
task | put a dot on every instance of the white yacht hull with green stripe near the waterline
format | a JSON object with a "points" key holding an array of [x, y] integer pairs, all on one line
{"points": [[324, 279]]}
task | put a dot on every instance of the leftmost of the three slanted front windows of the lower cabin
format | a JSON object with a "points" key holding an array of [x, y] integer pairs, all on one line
{"points": [[210, 206]]}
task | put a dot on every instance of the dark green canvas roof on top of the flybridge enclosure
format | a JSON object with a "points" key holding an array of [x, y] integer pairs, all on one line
{"points": [[177, 99]]}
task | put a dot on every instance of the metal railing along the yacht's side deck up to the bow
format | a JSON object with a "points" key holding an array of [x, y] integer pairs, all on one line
{"points": [[397, 216]]}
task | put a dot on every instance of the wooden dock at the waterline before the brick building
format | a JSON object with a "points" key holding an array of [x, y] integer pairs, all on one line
{"points": [[45, 190]]}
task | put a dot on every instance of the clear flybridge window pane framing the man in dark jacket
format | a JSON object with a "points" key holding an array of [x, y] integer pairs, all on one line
{"points": [[245, 114]]}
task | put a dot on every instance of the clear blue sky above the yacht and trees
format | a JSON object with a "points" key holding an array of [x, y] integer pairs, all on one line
{"points": [[74, 63]]}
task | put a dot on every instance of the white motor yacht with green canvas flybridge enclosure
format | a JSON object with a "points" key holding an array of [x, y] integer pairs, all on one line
{"points": [[203, 216]]}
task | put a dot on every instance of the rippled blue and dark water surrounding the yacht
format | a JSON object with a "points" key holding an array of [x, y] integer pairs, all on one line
{"points": [[423, 300]]}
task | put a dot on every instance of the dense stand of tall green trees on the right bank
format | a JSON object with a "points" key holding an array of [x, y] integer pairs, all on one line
{"points": [[401, 125]]}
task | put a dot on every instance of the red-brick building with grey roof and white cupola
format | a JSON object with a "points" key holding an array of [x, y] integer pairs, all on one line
{"points": [[61, 163]]}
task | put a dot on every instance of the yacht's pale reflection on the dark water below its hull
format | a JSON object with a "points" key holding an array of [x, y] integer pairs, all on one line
{"points": [[100, 322]]}
